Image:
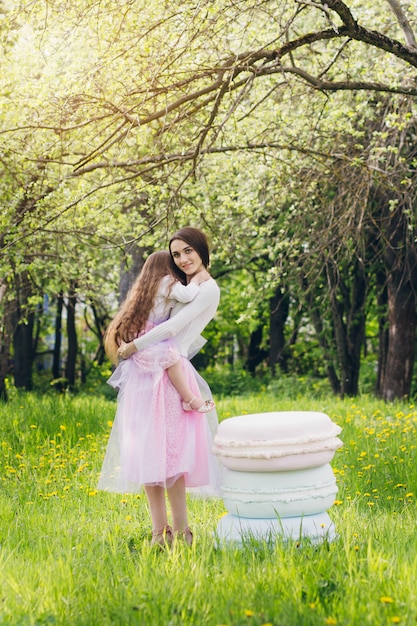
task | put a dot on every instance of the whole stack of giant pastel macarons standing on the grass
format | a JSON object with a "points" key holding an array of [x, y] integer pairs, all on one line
{"points": [[276, 475]]}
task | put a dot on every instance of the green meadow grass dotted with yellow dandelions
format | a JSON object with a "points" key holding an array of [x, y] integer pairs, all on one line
{"points": [[75, 556]]}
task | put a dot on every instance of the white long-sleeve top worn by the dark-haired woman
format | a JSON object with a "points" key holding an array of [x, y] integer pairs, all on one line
{"points": [[187, 321]]}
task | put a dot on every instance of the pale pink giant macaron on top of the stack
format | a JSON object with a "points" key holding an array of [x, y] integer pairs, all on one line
{"points": [[282, 441]]}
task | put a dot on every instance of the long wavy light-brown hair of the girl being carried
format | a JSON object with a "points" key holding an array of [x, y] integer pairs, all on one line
{"points": [[135, 310]]}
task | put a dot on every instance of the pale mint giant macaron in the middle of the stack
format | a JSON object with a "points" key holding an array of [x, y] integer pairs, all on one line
{"points": [[282, 494]]}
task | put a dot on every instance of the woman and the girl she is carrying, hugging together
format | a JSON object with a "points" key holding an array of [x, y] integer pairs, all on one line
{"points": [[161, 437]]}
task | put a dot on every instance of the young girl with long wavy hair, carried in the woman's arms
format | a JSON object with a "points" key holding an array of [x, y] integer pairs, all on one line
{"points": [[148, 303]]}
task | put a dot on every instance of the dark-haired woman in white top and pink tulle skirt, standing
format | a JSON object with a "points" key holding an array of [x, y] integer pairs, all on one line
{"points": [[169, 448]]}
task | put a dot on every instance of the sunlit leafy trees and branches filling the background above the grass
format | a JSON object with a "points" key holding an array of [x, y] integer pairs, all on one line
{"points": [[285, 130]]}
